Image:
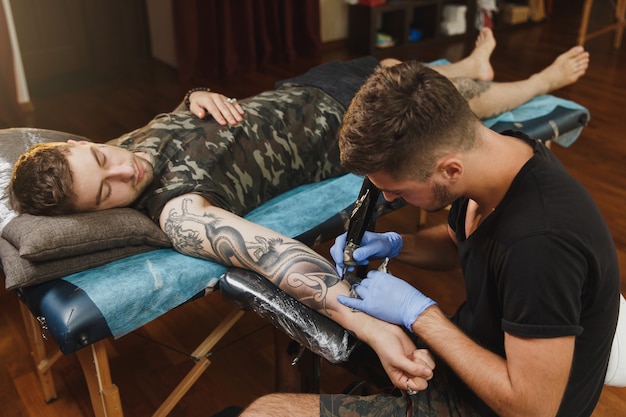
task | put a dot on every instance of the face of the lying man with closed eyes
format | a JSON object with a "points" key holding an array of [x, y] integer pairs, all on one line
{"points": [[107, 176]]}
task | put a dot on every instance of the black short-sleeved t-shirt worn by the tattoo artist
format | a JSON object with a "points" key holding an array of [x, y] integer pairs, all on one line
{"points": [[542, 265]]}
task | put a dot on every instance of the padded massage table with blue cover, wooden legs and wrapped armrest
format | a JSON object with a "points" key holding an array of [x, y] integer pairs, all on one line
{"points": [[83, 309]]}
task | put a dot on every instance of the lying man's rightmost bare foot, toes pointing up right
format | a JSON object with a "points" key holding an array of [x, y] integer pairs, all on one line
{"points": [[566, 69]]}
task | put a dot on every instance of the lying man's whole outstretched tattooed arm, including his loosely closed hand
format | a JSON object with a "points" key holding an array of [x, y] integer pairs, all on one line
{"points": [[199, 229]]}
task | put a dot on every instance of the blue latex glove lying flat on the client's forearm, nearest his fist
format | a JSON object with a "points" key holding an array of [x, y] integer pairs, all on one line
{"points": [[388, 298]]}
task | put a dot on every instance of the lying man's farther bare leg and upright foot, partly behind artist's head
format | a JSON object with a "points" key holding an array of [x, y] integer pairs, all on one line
{"points": [[475, 66]]}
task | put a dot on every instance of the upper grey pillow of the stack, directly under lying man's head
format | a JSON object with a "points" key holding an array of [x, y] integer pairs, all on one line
{"points": [[42, 238]]}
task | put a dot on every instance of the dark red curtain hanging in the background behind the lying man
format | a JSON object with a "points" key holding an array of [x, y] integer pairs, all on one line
{"points": [[223, 37]]}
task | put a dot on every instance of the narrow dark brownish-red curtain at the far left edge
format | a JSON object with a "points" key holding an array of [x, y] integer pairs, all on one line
{"points": [[9, 107]]}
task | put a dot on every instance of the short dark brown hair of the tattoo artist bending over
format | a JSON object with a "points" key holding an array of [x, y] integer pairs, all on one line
{"points": [[402, 120]]}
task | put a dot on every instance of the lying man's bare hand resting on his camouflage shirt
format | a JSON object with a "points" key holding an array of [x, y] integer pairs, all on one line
{"points": [[223, 109]]}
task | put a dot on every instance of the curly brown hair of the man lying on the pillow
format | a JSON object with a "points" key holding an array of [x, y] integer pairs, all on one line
{"points": [[41, 183]]}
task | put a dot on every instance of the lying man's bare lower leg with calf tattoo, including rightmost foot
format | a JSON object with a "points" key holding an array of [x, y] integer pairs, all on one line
{"points": [[490, 99]]}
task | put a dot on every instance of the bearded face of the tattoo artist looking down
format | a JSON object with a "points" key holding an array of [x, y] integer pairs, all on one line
{"points": [[431, 196]]}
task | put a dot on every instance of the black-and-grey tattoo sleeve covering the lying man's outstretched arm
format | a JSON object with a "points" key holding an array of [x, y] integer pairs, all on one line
{"points": [[289, 265]]}
